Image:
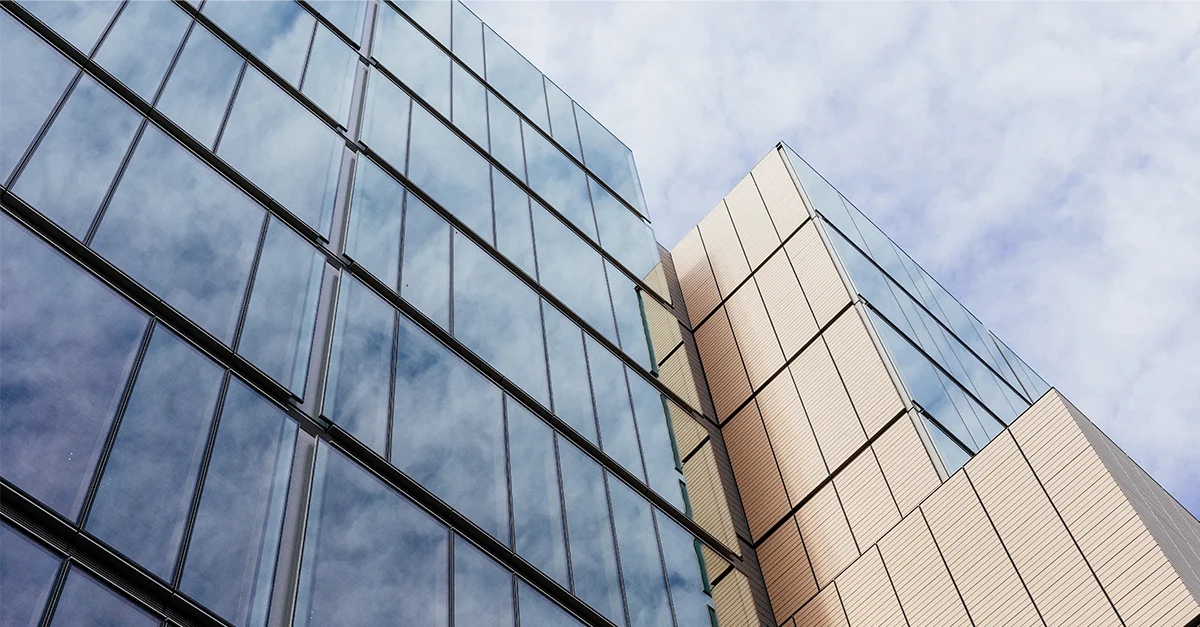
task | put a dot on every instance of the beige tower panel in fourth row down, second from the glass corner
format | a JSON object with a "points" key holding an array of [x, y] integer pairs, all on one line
{"points": [[866, 497]]}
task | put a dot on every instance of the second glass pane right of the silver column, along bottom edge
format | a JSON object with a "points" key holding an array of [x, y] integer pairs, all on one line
{"points": [[483, 589]]}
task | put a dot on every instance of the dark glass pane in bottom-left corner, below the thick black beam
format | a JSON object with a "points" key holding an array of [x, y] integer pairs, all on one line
{"points": [[27, 574]]}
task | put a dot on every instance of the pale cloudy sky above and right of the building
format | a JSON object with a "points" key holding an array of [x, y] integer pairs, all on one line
{"points": [[1043, 162]]}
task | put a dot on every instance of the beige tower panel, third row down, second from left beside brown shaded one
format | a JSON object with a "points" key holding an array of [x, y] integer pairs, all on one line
{"points": [[791, 438]]}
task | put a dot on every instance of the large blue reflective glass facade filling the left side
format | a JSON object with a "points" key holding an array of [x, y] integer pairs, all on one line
{"points": [[328, 313]]}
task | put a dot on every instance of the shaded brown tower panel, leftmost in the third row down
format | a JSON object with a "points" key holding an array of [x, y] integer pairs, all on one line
{"points": [[755, 471]]}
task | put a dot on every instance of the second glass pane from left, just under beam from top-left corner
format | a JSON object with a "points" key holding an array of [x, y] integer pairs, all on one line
{"points": [[86, 145]]}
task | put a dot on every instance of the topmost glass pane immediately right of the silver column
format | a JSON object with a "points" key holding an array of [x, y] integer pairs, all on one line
{"points": [[412, 58]]}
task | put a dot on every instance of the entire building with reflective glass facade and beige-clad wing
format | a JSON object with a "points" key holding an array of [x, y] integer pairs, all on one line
{"points": [[341, 313]]}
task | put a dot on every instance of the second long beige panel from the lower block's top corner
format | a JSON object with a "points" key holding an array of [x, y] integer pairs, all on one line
{"points": [[1063, 586]]}
